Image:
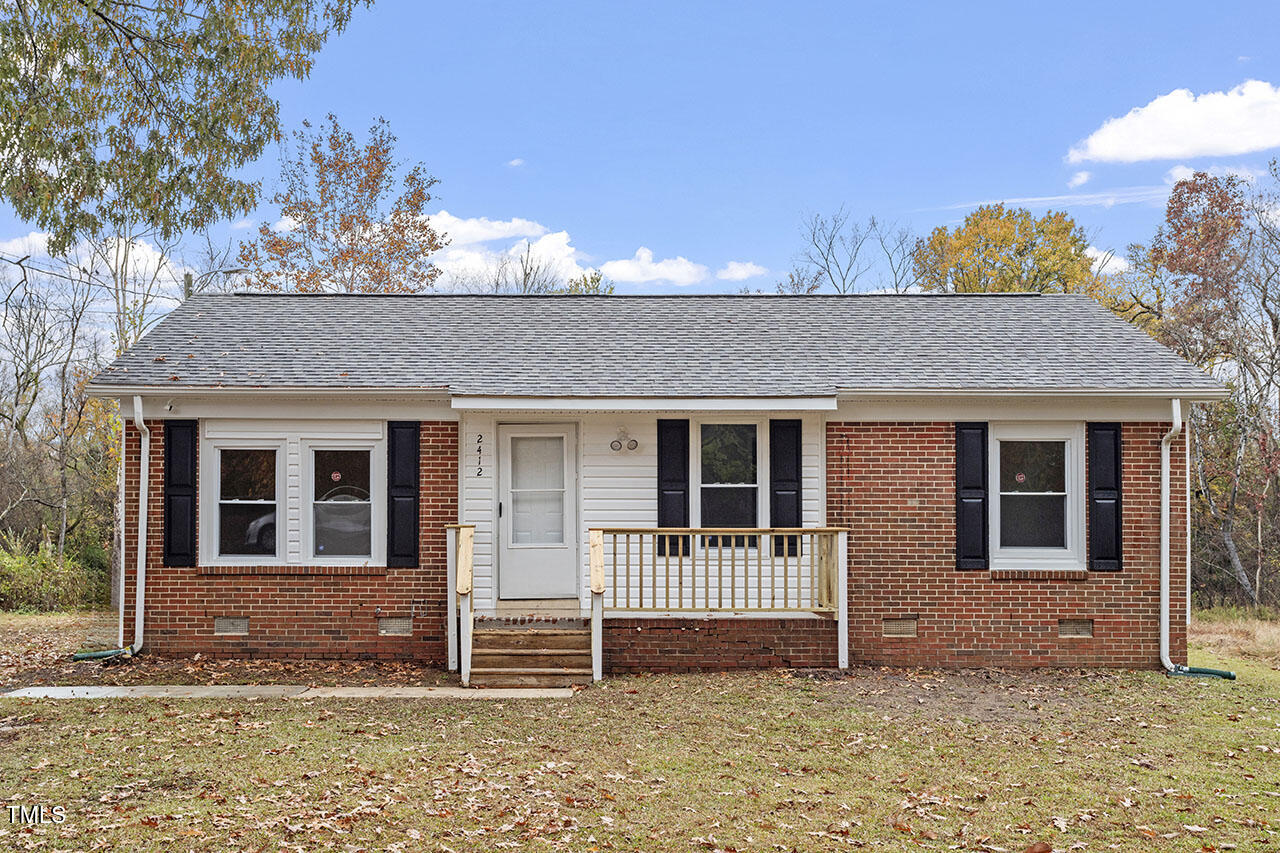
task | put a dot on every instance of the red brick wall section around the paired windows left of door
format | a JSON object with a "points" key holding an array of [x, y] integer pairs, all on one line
{"points": [[312, 612]]}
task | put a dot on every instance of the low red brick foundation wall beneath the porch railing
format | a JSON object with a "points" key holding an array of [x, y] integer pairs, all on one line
{"points": [[696, 645]]}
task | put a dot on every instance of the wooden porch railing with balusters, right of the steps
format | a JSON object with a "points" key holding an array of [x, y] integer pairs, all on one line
{"points": [[721, 569]]}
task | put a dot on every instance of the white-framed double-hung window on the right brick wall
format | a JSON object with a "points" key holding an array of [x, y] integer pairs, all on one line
{"points": [[1037, 496]]}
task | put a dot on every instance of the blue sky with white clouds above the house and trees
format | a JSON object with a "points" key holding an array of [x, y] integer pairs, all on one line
{"points": [[701, 134]]}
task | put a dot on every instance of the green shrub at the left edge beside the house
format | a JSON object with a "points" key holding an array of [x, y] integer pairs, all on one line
{"points": [[33, 581]]}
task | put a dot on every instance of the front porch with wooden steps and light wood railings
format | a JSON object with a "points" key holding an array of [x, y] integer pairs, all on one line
{"points": [[670, 576]]}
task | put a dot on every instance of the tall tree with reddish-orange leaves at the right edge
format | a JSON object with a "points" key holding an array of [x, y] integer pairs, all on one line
{"points": [[1209, 286]]}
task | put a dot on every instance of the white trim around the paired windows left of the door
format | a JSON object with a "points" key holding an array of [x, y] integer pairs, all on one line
{"points": [[295, 475]]}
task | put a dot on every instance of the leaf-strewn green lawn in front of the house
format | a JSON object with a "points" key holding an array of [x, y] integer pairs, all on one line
{"points": [[765, 761]]}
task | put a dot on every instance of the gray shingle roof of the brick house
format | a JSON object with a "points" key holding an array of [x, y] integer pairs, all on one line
{"points": [[636, 346]]}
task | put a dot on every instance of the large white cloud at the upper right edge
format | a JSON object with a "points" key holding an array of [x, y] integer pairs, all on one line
{"points": [[1185, 125]]}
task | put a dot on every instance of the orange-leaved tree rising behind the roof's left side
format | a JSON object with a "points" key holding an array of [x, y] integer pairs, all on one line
{"points": [[344, 229]]}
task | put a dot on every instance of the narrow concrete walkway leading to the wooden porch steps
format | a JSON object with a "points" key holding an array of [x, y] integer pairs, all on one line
{"points": [[282, 692]]}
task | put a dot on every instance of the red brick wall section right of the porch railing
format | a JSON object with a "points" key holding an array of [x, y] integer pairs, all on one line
{"points": [[894, 486]]}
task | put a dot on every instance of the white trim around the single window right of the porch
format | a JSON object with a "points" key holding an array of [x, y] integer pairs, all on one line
{"points": [[1049, 559]]}
